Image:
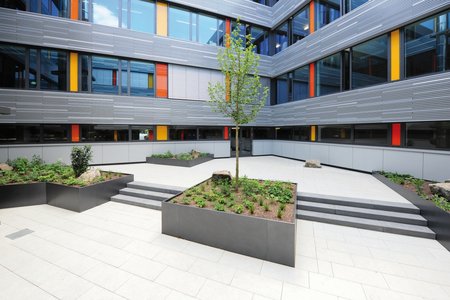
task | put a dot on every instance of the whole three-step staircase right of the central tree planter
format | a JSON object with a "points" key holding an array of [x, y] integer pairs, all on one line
{"points": [[399, 218]]}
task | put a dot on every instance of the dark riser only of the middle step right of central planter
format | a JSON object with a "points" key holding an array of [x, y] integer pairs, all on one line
{"points": [[363, 215]]}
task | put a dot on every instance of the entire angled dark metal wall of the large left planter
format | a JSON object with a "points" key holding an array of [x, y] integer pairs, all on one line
{"points": [[73, 198]]}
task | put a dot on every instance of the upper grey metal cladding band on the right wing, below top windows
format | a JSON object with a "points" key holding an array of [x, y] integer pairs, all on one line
{"points": [[371, 20]]}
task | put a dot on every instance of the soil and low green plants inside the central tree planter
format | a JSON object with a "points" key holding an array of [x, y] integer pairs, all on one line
{"points": [[265, 199]]}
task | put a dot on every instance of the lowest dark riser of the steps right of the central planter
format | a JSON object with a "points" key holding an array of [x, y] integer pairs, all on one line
{"points": [[367, 226]]}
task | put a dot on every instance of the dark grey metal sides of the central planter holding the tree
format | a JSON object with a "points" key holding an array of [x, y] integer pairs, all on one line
{"points": [[266, 239]]}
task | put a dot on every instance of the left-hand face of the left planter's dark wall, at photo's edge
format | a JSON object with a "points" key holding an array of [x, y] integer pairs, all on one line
{"points": [[15, 195]]}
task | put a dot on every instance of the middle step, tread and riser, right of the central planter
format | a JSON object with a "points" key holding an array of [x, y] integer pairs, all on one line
{"points": [[374, 214]]}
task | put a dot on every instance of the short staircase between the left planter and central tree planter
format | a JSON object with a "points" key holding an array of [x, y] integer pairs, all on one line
{"points": [[144, 194]]}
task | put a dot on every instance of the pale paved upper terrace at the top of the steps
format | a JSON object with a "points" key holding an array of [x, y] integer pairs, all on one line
{"points": [[325, 181]]}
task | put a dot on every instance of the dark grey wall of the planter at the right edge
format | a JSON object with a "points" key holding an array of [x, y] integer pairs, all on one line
{"points": [[438, 220]]}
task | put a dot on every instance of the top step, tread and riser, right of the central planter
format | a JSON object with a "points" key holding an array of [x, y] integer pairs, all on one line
{"points": [[361, 203]]}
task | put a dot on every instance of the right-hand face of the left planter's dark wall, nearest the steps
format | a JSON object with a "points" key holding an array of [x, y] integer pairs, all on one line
{"points": [[79, 199]]}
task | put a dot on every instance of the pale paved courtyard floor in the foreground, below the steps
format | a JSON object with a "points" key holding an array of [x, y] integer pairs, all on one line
{"points": [[116, 251]]}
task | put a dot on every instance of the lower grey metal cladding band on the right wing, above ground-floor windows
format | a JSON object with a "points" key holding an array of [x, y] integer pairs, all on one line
{"points": [[424, 98]]}
